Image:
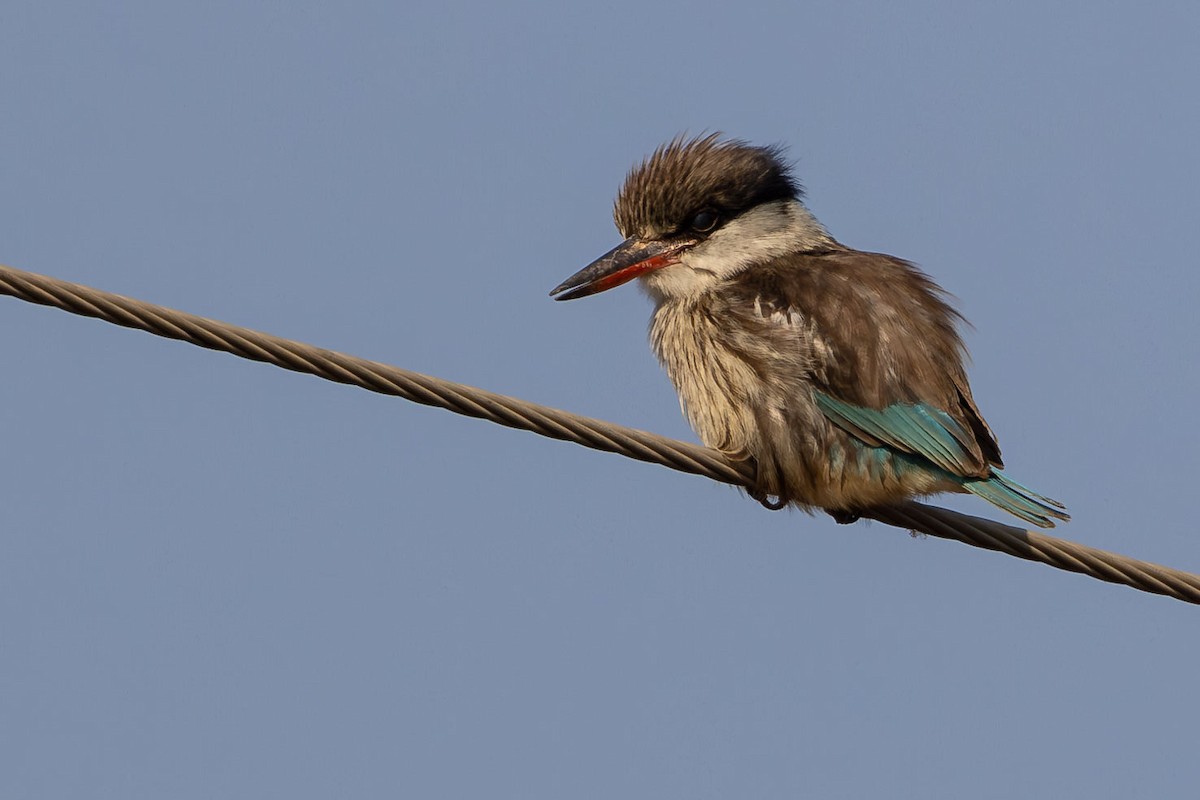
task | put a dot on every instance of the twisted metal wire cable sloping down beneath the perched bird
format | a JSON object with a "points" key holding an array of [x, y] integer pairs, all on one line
{"points": [[562, 425]]}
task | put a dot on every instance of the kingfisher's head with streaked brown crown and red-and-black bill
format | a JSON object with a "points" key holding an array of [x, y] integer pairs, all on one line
{"points": [[695, 213]]}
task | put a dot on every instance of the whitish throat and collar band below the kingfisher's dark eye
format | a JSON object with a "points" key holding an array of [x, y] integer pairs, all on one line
{"points": [[764, 233]]}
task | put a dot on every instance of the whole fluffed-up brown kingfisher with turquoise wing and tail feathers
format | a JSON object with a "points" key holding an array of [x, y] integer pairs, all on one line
{"points": [[837, 374]]}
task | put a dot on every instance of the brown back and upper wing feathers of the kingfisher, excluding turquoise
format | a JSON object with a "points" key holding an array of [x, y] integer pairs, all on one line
{"points": [[881, 335]]}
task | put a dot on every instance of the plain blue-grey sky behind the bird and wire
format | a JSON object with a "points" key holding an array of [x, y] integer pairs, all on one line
{"points": [[219, 579]]}
